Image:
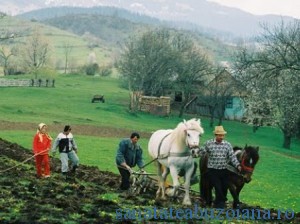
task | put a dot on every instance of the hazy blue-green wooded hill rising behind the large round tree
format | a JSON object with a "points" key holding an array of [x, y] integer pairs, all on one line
{"points": [[114, 30]]}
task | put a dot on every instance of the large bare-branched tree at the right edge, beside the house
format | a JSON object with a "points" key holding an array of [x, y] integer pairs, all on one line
{"points": [[272, 73]]}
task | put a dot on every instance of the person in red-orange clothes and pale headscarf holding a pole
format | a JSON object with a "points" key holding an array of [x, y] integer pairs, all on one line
{"points": [[41, 147]]}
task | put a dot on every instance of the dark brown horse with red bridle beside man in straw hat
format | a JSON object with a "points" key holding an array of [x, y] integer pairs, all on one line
{"points": [[248, 157]]}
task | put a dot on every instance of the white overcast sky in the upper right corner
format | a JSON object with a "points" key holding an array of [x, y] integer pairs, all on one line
{"points": [[262, 7]]}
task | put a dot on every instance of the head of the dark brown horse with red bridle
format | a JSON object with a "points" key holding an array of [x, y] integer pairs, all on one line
{"points": [[248, 160]]}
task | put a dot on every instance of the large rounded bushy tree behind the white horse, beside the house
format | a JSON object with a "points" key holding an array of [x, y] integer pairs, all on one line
{"points": [[162, 60]]}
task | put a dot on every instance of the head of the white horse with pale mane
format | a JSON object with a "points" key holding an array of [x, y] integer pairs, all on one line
{"points": [[193, 132]]}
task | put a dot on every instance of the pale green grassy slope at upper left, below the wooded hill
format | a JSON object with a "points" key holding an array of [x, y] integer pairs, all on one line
{"points": [[81, 46]]}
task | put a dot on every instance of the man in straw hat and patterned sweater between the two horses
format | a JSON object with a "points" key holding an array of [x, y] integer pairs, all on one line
{"points": [[220, 152]]}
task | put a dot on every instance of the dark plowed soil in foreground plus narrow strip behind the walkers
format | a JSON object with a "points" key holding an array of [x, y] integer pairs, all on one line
{"points": [[91, 196]]}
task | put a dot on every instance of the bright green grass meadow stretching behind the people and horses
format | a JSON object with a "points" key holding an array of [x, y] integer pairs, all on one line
{"points": [[276, 178]]}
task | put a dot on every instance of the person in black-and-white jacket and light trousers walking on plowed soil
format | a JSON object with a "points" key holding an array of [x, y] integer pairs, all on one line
{"points": [[68, 151]]}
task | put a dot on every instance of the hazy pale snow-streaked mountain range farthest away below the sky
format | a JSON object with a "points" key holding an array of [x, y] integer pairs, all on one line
{"points": [[200, 12]]}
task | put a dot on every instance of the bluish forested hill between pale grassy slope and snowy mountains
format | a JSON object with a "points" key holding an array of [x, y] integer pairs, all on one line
{"points": [[113, 26]]}
